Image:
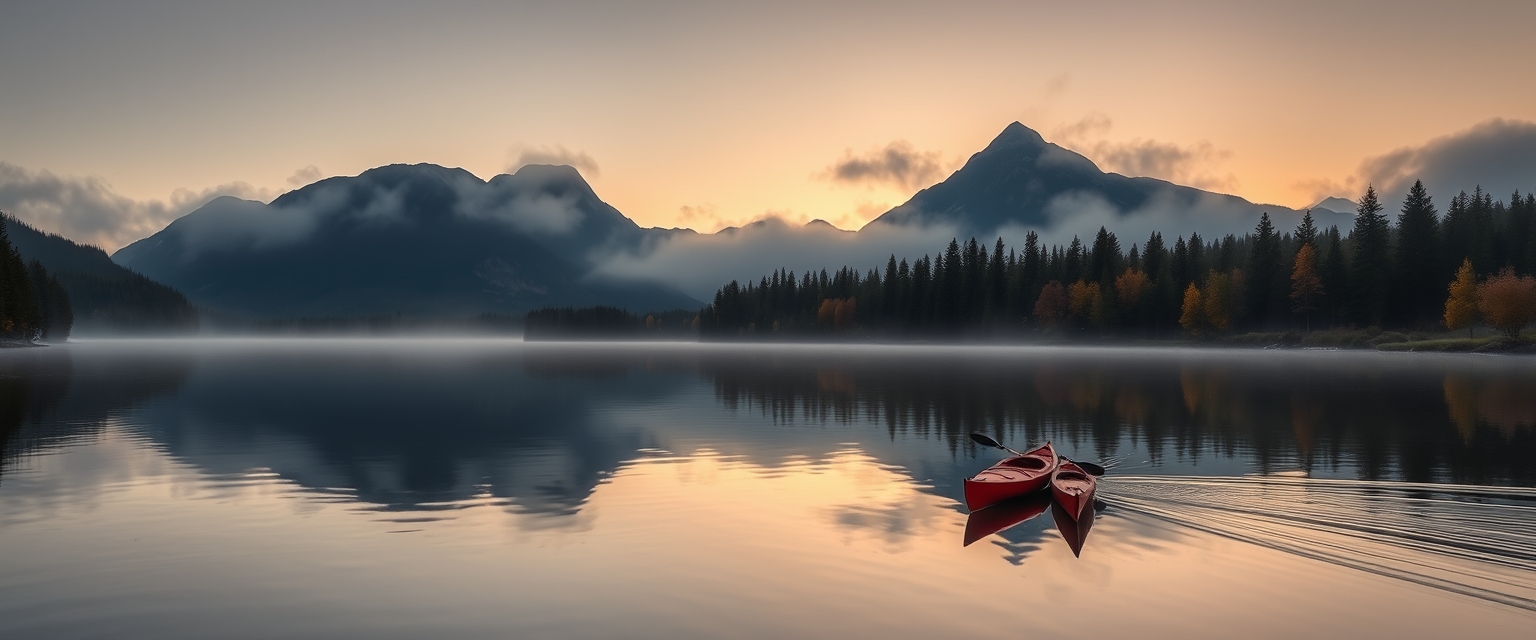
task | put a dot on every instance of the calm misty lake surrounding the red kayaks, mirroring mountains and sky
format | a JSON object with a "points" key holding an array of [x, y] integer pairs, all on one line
{"points": [[446, 489]]}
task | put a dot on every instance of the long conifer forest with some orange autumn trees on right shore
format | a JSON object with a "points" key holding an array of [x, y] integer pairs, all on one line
{"points": [[1382, 272]]}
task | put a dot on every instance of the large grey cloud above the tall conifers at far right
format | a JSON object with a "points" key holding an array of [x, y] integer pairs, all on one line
{"points": [[1497, 154]]}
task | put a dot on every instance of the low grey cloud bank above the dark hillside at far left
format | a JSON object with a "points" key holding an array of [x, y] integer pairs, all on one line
{"points": [[88, 209]]}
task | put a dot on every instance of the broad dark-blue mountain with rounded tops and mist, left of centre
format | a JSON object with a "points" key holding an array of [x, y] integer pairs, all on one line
{"points": [[415, 240]]}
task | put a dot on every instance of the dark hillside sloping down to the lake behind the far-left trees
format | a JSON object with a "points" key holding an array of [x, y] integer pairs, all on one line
{"points": [[105, 297]]}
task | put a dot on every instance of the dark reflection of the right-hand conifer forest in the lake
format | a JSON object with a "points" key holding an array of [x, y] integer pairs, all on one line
{"points": [[1420, 420]]}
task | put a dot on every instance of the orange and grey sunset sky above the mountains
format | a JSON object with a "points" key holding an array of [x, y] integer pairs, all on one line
{"points": [[116, 117]]}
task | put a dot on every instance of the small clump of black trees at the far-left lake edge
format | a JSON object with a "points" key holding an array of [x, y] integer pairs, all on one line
{"points": [[33, 305]]}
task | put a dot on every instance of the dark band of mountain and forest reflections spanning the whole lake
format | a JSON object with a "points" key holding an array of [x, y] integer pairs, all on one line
{"points": [[541, 426]]}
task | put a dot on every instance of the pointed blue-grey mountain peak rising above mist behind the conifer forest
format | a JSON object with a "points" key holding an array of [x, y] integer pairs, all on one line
{"points": [[1025, 182]]}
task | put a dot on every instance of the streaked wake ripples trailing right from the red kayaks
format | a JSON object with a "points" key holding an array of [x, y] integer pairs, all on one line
{"points": [[1465, 539]]}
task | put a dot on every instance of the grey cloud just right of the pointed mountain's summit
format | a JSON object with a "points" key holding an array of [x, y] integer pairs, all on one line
{"points": [[1193, 165]]}
